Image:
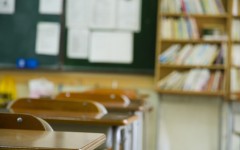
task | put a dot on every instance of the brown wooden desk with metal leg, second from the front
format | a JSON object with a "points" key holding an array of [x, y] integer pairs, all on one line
{"points": [[117, 121]]}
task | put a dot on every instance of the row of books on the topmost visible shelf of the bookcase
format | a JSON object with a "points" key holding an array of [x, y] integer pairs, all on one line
{"points": [[214, 7]]}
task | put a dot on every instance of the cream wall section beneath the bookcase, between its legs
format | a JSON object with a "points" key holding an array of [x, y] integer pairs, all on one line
{"points": [[189, 122]]}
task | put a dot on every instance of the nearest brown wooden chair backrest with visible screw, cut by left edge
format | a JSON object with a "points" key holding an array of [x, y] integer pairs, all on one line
{"points": [[23, 121]]}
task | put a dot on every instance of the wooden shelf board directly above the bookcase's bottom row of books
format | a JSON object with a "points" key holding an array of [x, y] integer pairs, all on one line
{"points": [[214, 67]]}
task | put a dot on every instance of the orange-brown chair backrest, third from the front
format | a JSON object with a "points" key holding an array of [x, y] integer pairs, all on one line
{"points": [[108, 100]]}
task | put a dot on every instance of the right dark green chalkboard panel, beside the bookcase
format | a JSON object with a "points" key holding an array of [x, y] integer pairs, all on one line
{"points": [[144, 47]]}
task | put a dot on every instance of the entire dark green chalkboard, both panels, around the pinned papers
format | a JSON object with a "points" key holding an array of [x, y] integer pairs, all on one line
{"points": [[18, 38]]}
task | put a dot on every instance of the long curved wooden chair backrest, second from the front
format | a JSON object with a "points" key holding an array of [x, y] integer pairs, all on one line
{"points": [[59, 108]]}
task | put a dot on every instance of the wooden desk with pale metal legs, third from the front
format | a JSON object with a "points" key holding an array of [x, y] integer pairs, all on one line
{"points": [[137, 107]]}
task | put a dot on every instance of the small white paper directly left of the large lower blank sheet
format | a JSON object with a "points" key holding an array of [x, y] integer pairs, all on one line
{"points": [[77, 44]]}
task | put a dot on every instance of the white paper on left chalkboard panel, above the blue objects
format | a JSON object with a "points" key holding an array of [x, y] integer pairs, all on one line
{"points": [[48, 37]]}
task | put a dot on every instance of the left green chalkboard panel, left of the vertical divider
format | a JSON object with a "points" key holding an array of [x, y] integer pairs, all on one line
{"points": [[18, 35]]}
